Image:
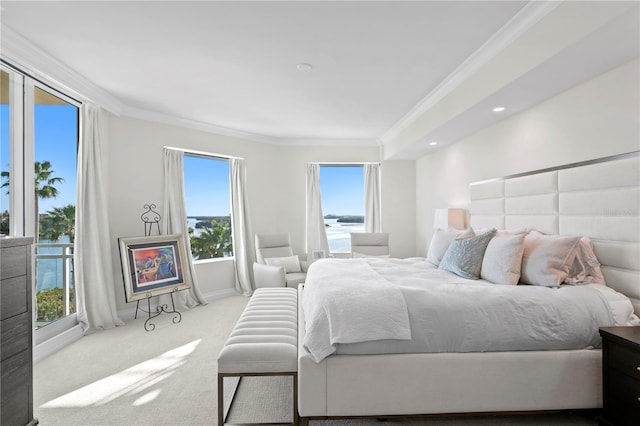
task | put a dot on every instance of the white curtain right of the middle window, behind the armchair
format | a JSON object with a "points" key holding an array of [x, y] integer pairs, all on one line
{"points": [[242, 243]]}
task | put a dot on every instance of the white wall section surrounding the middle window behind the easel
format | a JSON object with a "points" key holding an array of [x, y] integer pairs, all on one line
{"points": [[135, 178]]}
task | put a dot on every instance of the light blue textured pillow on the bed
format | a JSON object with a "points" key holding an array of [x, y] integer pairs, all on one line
{"points": [[464, 257]]}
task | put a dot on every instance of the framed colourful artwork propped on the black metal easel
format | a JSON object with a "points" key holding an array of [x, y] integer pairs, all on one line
{"points": [[153, 265]]}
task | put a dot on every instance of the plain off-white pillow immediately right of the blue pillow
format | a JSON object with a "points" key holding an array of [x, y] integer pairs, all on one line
{"points": [[503, 258]]}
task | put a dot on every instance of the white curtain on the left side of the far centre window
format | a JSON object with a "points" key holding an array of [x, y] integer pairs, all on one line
{"points": [[316, 232]]}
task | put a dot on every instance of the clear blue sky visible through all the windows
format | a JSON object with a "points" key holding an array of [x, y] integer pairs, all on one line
{"points": [[206, 180]]}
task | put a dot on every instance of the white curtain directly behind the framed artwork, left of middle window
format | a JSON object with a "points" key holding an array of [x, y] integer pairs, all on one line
{"points": [[175, 222]]}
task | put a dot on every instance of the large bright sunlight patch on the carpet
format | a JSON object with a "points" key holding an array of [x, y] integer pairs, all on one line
{"points": [[131, 381]]}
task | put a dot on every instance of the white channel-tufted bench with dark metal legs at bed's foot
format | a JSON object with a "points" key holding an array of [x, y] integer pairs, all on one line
{"points": [[264, 342]]}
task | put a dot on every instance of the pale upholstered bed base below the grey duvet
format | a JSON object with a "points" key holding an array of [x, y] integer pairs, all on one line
{"points": [[406, 384]]}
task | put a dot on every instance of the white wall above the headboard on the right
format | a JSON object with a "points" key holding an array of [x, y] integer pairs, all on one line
{"points": [[596, 119]]}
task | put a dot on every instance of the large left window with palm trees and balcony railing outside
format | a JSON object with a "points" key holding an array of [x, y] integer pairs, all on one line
{"points": [[39, 145]]}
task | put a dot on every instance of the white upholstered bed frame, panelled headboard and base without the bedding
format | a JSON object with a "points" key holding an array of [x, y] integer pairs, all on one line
{"points": [[600, 200]]}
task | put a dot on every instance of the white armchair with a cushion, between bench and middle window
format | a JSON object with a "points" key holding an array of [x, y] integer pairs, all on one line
{"points": [[276, 264]]}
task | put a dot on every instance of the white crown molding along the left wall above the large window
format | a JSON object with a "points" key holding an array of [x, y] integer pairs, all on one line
{"points": [[23, 54]]}
